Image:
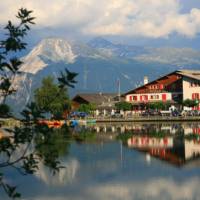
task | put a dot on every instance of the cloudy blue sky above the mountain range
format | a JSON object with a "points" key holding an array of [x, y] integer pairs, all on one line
{"points": [[140, 22]]}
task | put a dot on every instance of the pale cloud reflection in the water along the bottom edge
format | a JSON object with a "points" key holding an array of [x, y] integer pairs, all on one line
{"points": [[154, 189]]}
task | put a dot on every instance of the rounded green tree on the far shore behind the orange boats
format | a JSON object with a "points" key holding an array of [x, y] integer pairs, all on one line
{"points": [[51, 98]]}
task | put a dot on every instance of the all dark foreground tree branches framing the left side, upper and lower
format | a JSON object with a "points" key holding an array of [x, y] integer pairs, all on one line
{"points": [[23, 139]]}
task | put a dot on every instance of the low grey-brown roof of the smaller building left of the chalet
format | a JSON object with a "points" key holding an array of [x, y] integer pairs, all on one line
{"points": [[96, 98]]}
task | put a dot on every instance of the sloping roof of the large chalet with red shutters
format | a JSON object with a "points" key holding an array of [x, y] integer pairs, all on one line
{"points": [[194, 74]]}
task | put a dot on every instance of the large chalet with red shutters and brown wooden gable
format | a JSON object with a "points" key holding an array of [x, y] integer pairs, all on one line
{"points": [[174, 87]]}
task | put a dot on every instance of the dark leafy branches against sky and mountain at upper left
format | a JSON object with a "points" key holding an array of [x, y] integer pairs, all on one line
{"points": [[9, 63]]}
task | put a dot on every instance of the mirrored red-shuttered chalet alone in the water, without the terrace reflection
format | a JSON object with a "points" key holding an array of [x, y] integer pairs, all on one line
{"points": [[168, 149]]}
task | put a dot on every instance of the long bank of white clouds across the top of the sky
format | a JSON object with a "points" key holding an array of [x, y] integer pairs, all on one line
{"points": [[147, 18]]}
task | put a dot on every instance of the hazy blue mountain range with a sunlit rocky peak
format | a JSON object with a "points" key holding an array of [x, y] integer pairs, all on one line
{"points": [[100, 65]]}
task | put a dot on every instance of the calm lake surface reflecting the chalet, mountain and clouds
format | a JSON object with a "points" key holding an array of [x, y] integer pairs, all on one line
{"points": [[153, 161]]}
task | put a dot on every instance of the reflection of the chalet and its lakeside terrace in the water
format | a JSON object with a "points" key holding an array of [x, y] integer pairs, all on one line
{"points": [[172, 145]]}
